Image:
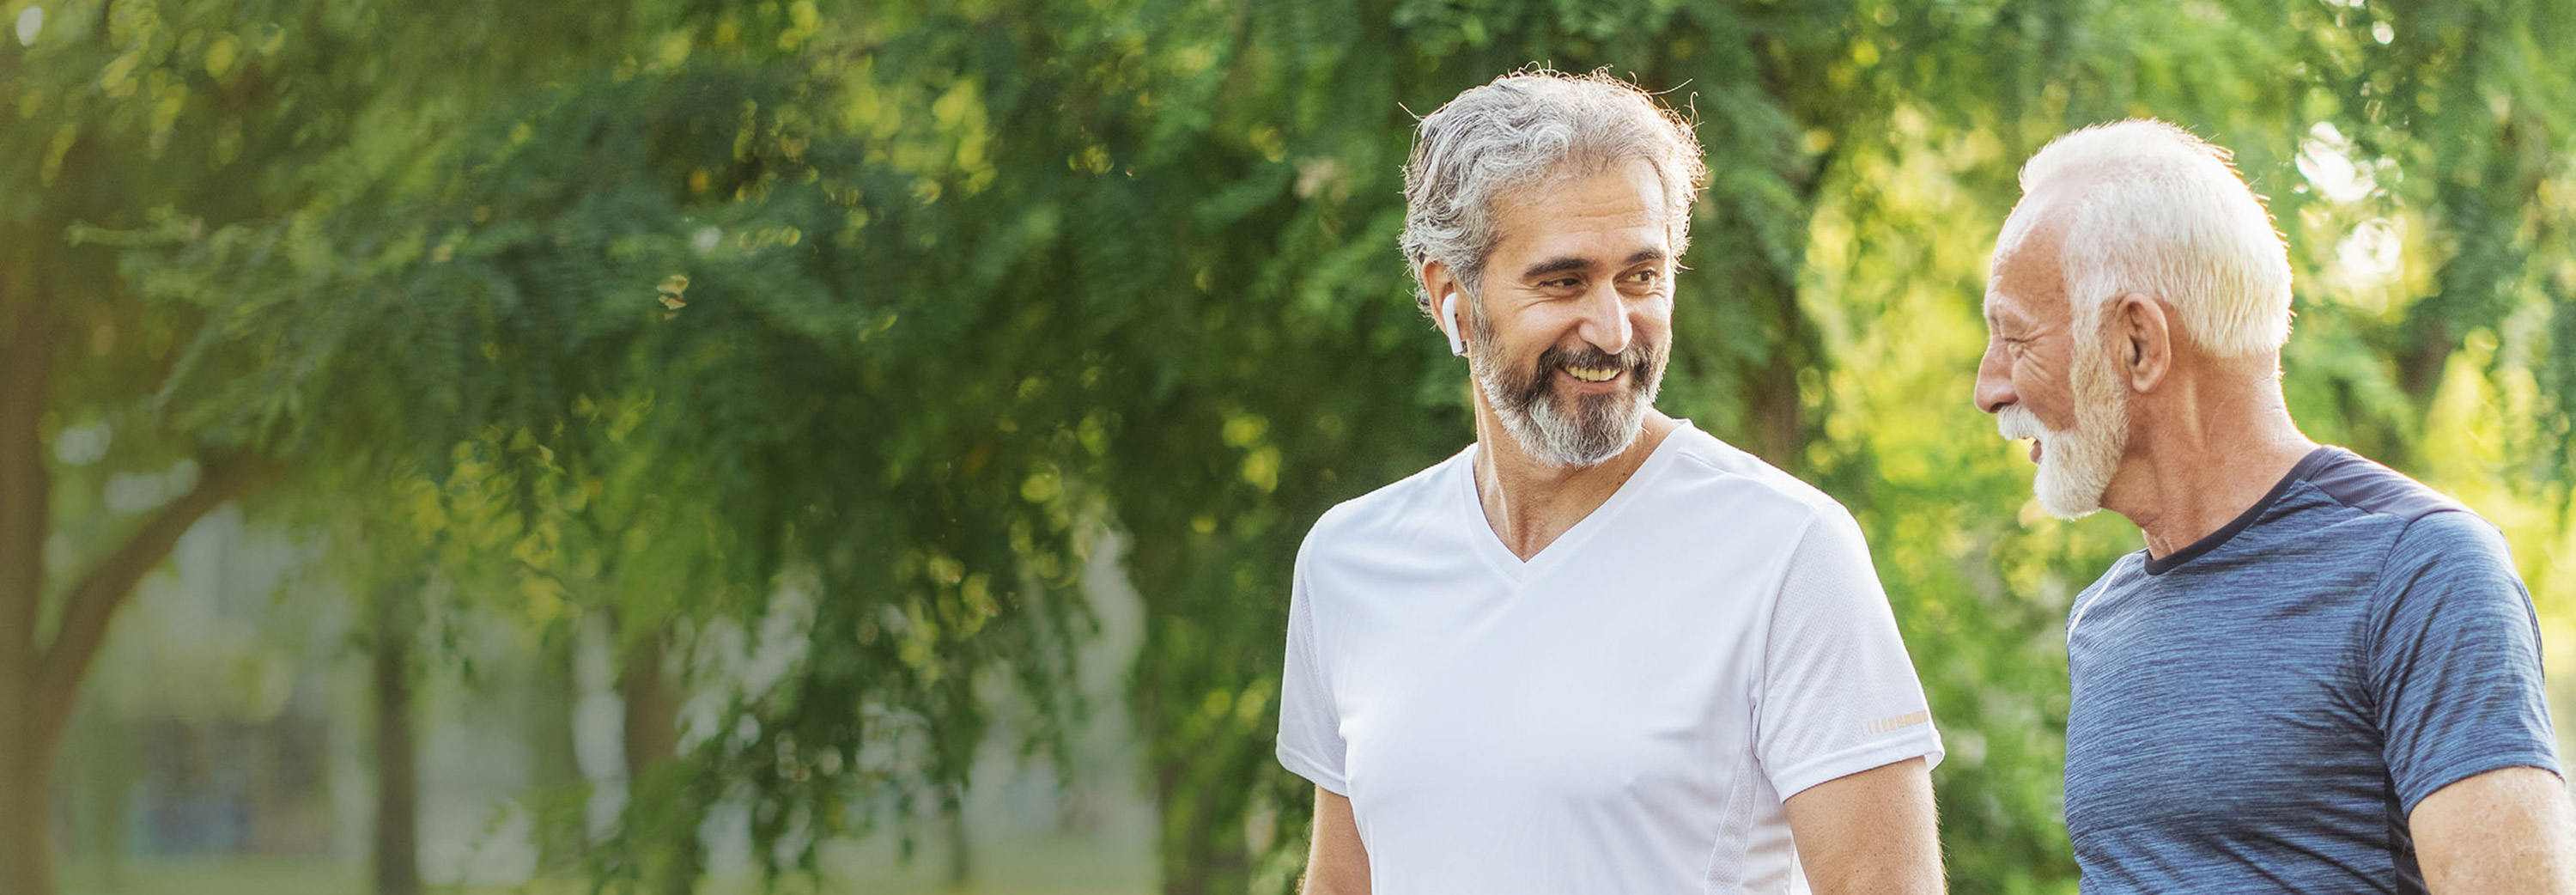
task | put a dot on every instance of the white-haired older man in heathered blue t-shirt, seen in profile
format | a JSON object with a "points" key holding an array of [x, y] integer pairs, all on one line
{"points": [[2320, 674]]}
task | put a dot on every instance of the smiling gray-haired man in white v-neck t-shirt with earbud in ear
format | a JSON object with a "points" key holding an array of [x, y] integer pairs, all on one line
{"points": [[1596, 651]]}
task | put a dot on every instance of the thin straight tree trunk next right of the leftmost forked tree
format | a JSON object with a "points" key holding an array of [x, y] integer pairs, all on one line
{"points": [[398, 775]]}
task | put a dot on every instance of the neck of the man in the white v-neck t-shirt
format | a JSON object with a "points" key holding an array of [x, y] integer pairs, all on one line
{"points": [[1529, 502]]}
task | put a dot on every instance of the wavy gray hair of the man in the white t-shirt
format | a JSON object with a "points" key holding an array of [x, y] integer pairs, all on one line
{"points": [[1531, 128]]}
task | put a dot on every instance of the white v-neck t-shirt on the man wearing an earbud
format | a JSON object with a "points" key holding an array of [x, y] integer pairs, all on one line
{"points": [[1622, 713]]}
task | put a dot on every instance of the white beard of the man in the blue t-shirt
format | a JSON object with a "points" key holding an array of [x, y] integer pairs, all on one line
{"points": [[2078, 466]]}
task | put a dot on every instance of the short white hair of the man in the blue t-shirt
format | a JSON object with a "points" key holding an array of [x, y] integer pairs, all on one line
{"points": [[2163, 213]]}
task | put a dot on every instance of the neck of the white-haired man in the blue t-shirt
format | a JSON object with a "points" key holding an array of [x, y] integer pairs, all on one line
{"points": [[2199, 458]]}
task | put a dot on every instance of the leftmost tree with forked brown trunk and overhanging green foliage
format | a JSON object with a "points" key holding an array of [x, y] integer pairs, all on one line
{"points": [[135, 117]]}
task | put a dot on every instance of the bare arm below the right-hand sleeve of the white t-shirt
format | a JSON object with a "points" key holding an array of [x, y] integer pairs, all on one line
{"points": [[1869, 832]]}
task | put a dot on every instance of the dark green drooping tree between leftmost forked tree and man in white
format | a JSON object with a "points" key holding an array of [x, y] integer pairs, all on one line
{"points": [[640, 239]]}
